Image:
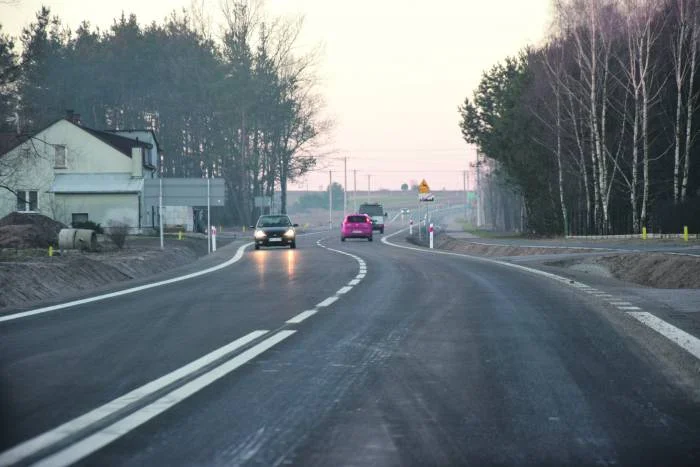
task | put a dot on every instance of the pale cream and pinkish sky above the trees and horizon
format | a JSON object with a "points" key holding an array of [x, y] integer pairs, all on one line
{"points": [[392, 72]]}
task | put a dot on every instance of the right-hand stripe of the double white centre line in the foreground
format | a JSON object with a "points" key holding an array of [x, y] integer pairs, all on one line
{"points": [[98, 440]]}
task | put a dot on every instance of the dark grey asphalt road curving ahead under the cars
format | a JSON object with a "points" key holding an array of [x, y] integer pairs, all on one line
{"points": [[402, 358]]}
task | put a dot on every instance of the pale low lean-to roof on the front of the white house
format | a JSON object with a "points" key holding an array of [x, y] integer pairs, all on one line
{"points": [[96, 183]]}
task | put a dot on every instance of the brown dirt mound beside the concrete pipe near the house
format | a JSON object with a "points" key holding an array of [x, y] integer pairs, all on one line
{"points": [[19, 230]]}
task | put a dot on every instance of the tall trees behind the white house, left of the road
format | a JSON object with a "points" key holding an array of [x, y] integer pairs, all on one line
{"points": [[242, 106]]}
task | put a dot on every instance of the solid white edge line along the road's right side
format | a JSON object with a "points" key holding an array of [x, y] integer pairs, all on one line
{"points": [[692, 344]]}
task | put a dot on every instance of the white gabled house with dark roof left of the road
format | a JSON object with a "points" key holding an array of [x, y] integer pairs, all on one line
{"points": [[73, 173]]}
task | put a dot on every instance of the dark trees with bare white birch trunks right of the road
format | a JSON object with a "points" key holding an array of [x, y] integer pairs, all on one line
{"points": [[596, 128]]}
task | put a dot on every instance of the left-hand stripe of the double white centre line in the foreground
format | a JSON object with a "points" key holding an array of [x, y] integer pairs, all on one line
{"points": [[36, 444]]}
